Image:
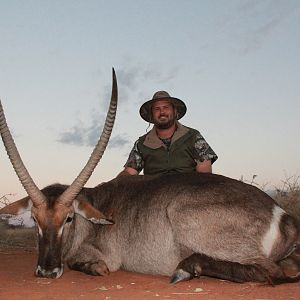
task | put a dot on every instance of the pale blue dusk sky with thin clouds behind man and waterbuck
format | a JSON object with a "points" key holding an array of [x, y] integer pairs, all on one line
{"points": [[234, 63]]}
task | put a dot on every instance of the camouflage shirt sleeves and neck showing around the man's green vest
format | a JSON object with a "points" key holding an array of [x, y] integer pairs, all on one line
{"points": [[202, 151]]}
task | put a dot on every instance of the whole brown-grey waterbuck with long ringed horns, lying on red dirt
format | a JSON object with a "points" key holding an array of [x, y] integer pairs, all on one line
{"points": [[182, 226]]}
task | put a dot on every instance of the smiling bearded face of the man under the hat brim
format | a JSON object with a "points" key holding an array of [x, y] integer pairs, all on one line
{"points": [[163, 114]]}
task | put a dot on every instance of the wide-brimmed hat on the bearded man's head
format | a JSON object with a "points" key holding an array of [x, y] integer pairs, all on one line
{"points": [[146, 108]]}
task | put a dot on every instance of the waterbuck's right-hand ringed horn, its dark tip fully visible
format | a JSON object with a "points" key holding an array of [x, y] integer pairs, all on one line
{"points": [[69, 195]]}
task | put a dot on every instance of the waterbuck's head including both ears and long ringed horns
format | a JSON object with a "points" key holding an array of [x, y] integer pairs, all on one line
{"points": [[53, 208]]}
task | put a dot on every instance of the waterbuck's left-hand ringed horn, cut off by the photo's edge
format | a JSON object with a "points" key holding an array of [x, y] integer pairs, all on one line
{"points": [[32, 190]]}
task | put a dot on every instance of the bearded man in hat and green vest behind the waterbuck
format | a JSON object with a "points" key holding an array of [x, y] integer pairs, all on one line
{"points": [[169, 147]]}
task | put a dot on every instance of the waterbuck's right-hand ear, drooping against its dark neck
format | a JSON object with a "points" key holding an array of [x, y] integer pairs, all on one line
{"points": [[89, 212]]}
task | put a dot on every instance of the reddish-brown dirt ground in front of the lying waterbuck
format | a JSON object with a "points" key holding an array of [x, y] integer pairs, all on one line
{"points": [[17, 281]]}
